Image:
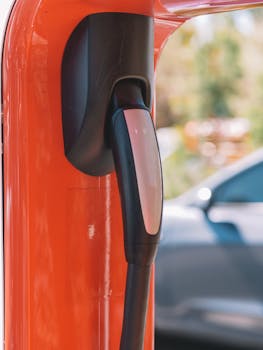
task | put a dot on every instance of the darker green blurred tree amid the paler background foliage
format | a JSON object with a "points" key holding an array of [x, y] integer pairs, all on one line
{"points": [[218, 71]]}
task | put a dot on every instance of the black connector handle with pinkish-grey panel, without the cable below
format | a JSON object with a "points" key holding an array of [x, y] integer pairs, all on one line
{"points": [[138, 168]]}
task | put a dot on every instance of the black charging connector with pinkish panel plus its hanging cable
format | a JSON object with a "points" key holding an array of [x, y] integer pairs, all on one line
{"points": [[138, 169]]}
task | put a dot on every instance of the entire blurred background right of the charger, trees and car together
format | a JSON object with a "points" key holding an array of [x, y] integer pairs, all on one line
{"points": [[209, 286]]}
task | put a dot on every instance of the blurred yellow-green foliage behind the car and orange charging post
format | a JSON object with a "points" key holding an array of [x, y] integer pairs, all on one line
{"points": [[220, 77]]}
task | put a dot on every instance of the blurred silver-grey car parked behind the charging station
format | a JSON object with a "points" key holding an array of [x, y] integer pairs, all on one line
{"points": [[209, 269]]}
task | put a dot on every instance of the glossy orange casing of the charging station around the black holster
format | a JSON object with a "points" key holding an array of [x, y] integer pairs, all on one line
{"points": [[64, 258]]}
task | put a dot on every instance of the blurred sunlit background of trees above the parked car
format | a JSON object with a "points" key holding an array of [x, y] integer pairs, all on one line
{"points": [[209, 96]]}
